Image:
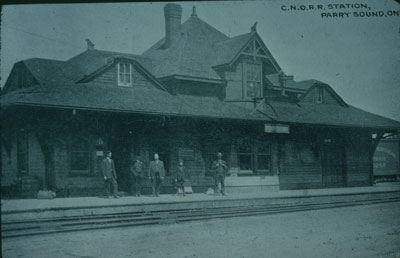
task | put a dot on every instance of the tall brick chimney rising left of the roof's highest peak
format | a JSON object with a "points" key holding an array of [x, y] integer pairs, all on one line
{"points": [[173, 14]]}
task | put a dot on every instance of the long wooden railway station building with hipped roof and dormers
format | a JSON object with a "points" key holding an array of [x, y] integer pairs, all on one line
{"points": [[192, 94]]}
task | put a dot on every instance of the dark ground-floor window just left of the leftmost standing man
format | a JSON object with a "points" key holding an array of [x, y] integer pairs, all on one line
{"points": [[80, 156]]}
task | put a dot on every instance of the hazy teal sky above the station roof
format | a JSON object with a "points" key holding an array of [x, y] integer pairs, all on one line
{"points": [[358, 56]]}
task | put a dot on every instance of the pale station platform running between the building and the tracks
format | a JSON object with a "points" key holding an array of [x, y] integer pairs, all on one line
{"points": [[19, 209]]}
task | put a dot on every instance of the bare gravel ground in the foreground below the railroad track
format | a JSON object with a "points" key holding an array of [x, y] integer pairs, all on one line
{"points": [[363, 231]]}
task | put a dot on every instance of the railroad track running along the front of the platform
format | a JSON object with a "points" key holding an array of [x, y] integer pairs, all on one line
{"points": [[23, 228]]}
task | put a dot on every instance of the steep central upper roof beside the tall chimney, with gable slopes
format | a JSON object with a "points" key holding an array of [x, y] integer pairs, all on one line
{"points": [[199, 48]]}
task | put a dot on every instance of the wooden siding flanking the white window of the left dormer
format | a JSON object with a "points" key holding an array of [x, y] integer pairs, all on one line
{"points": [[109, 77]]}
